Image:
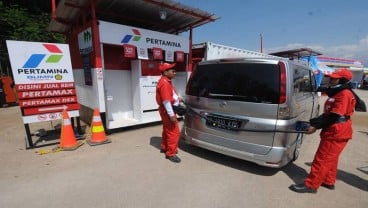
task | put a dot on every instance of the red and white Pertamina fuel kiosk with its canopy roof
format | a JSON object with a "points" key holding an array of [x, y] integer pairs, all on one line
{"points": [[116, 47]]}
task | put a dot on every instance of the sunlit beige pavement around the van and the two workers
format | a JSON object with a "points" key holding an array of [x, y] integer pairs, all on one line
{"points": [[131, 172]]}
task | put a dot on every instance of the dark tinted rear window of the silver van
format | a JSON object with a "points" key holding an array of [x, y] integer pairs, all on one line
{"points": [[248, 82]]}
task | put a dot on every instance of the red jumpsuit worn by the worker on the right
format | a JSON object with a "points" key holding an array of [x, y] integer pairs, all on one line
{"points": [[333, 140]]}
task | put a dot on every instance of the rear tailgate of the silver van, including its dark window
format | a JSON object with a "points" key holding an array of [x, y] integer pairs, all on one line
{"points": [[228, 92]]}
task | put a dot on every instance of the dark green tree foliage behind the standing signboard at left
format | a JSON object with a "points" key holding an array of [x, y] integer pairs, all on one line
{"points": [[18, 23]]}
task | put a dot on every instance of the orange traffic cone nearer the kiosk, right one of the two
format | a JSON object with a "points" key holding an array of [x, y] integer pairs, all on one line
{"points": [[98, 135]]}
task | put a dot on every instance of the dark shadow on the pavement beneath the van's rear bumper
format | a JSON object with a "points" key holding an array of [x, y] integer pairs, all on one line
{"points": [[227, 161]]}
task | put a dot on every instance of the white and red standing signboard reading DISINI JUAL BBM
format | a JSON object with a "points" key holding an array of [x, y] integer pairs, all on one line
{"points": [[43, 79]]}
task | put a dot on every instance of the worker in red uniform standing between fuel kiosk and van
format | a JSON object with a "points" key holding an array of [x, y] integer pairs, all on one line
{"points": [[166, 97]]}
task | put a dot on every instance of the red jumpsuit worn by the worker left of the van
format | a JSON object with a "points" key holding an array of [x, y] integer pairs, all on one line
{"points": [[170, 132]]}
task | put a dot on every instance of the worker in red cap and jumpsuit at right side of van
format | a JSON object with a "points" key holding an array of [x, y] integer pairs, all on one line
{"points": [[336, 131]]}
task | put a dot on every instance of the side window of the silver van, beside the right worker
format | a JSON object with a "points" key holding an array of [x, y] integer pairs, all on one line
{"points": [[302, 80]]}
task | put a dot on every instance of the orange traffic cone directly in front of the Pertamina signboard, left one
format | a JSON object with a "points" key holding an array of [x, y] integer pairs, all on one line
{"points": [[68, 140]]}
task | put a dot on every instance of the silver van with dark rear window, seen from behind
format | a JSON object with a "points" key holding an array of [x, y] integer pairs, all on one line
{"points": [[249, 108]]}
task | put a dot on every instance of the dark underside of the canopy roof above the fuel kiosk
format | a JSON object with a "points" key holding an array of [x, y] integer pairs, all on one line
{"points": [[138, 13]]}
